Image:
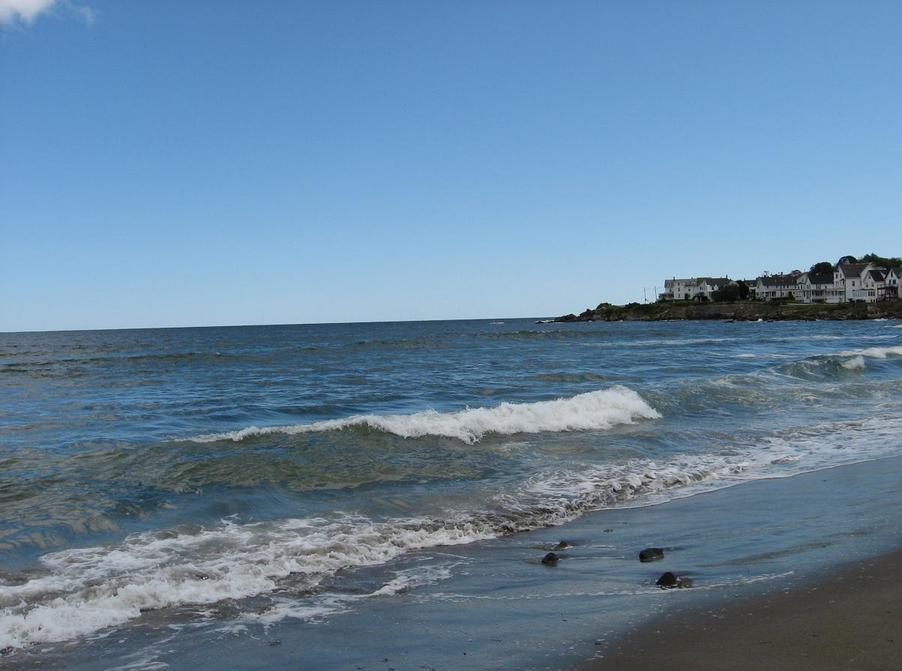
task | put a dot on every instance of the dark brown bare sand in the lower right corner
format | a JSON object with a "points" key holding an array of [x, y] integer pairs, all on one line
{"points": [[847, 618]]}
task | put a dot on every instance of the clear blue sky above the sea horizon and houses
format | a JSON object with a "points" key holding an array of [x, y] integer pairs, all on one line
{"points": [[169, 163]]}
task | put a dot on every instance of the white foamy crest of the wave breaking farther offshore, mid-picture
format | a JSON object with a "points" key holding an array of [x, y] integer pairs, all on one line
{"points": [[592, 411]]}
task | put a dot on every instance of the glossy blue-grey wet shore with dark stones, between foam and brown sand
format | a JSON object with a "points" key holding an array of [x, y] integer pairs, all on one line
{"points": [[598, 590]]}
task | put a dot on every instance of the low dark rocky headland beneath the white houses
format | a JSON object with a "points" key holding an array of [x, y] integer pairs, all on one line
{"points": [[738, 311]]}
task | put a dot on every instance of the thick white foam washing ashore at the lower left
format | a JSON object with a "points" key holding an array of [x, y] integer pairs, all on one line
{"points": [[90, 589]]}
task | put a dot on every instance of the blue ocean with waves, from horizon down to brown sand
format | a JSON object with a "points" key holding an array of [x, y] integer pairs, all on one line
{"points": [[381, 495]]}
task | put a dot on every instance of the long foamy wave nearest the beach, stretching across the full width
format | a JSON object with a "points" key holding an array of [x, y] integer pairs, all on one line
{"points": [[85, 590]]}
